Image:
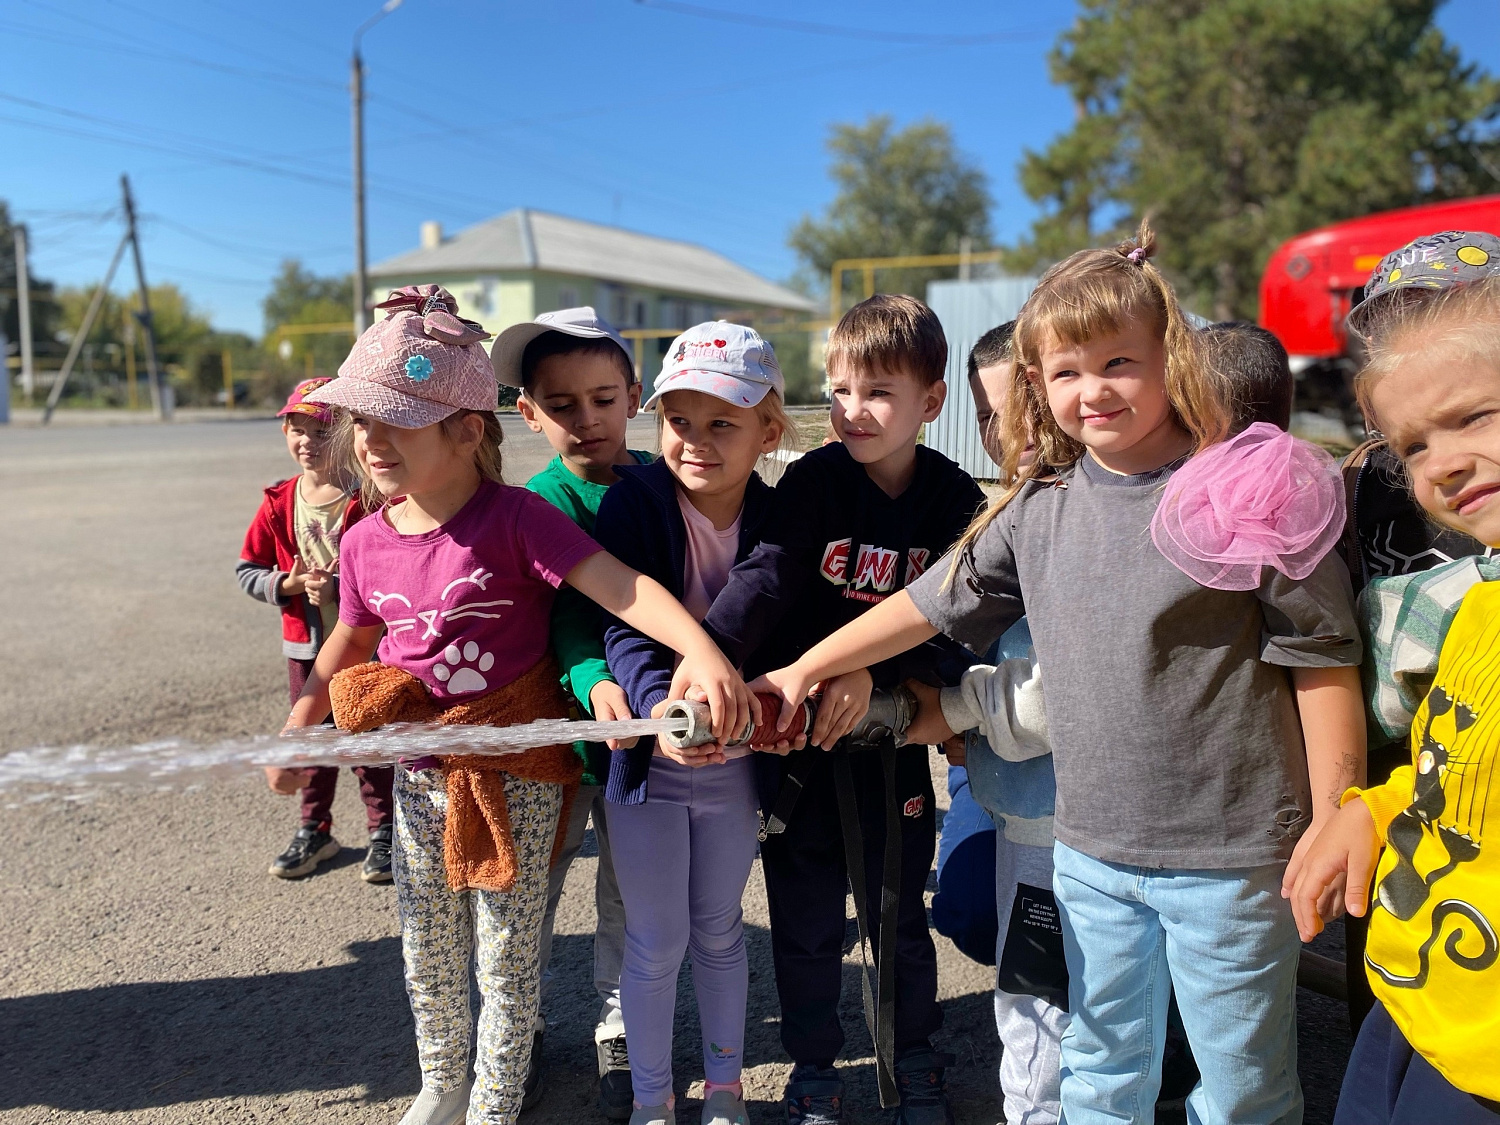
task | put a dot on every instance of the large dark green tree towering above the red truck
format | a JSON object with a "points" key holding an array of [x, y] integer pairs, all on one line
{"points": [[1237, 124]]}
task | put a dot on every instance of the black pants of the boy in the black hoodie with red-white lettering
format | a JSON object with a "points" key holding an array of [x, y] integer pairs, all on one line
{"points": [[806, 883]]}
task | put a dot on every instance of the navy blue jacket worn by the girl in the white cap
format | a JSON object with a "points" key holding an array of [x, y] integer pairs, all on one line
{"points": [[641, 524]]}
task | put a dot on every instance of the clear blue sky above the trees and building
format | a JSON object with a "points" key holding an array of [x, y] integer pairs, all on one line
{"points": [[233, 119]]}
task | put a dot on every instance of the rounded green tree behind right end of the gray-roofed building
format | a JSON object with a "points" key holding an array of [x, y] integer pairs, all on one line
{"points": [[901, 191]]}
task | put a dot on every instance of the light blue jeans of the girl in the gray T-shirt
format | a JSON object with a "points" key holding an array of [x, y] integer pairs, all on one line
{"points": [[1226, 943]]}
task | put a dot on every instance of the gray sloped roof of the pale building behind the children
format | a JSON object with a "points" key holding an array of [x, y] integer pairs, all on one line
{"points": [[526, 239]]}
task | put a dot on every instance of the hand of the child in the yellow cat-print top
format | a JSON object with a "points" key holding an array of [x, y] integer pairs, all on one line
{"points": [[1345, 851]]}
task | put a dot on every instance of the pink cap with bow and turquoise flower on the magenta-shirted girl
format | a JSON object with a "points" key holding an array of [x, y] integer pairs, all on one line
{"points": [[418, 367]]}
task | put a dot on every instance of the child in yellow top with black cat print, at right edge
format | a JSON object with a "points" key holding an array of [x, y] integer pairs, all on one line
{"points": [[1427, 1051]]}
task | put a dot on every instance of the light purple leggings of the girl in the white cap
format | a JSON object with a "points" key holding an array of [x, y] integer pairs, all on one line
{"points": [[682, 862]]}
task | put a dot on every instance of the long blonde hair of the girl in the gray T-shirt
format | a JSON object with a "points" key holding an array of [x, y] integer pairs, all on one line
{"points": [[1088, 295]]}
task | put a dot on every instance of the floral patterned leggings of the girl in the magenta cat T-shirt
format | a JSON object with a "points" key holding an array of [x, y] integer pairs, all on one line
{"points": [[443, 931]]}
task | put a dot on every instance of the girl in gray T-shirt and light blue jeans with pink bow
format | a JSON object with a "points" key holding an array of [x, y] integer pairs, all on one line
{"points": [[1189, 767]]}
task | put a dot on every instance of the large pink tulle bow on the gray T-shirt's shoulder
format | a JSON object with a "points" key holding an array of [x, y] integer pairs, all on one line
{"points": [[1261, 499]]}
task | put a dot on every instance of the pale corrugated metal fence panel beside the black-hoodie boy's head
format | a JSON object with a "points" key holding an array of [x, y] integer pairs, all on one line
{"points": [[968, 310]]}
